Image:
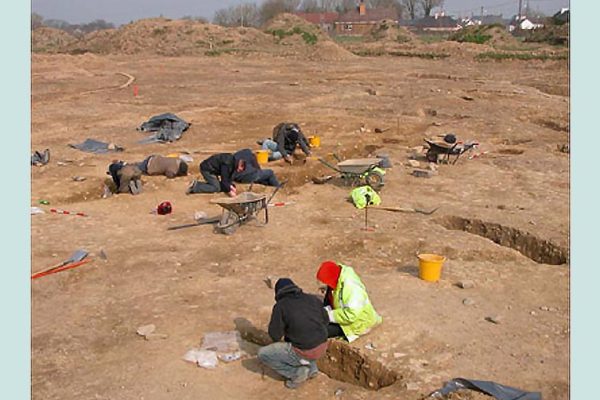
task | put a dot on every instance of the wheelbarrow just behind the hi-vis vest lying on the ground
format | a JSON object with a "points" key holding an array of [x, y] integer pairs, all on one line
{"points": [[357, 171]]}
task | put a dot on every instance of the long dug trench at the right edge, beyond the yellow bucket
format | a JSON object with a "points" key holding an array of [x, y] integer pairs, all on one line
{"points": [[539, 250]]}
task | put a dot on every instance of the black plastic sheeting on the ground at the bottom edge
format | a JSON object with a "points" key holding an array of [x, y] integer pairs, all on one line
{"points": [[494, 389]]}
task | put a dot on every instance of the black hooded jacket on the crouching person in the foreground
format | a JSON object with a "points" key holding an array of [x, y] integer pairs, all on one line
{"points": [[299, 318]]}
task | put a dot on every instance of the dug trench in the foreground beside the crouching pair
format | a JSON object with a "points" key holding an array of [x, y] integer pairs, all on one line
{"points": [[342, 362]]}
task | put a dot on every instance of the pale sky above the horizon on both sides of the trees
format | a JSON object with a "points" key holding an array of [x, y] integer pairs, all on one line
{"points": [[124, 11]]}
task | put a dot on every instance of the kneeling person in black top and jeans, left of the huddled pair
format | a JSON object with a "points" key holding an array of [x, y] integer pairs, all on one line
{"points": [[217, 170]]}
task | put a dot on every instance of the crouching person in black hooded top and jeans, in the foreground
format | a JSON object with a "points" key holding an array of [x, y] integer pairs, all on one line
{"points": [[301, 321]]}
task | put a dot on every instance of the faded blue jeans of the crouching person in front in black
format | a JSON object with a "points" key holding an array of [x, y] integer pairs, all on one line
{"points": [[286, 362]]}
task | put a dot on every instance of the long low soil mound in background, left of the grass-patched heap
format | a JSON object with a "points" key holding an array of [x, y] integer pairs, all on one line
{"points": [[172, 38]]}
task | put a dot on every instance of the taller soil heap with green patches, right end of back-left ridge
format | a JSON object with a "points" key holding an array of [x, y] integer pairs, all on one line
{"points": [[297, 37]]}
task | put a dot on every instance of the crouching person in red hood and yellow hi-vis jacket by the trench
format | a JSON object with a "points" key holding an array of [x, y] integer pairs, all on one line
{"points": [[347, 303]]}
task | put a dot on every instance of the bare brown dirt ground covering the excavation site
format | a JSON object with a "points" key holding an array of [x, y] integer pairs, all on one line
{"points": [[502, 223]]}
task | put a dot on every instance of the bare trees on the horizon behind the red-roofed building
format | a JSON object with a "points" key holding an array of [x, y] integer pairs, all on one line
{"points": [[251, 14]]}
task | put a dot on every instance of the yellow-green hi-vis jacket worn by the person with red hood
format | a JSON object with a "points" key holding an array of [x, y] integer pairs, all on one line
{"points": [[352, 309]]}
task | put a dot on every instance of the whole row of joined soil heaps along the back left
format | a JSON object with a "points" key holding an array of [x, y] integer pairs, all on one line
{"points": [[286, 35]]}
